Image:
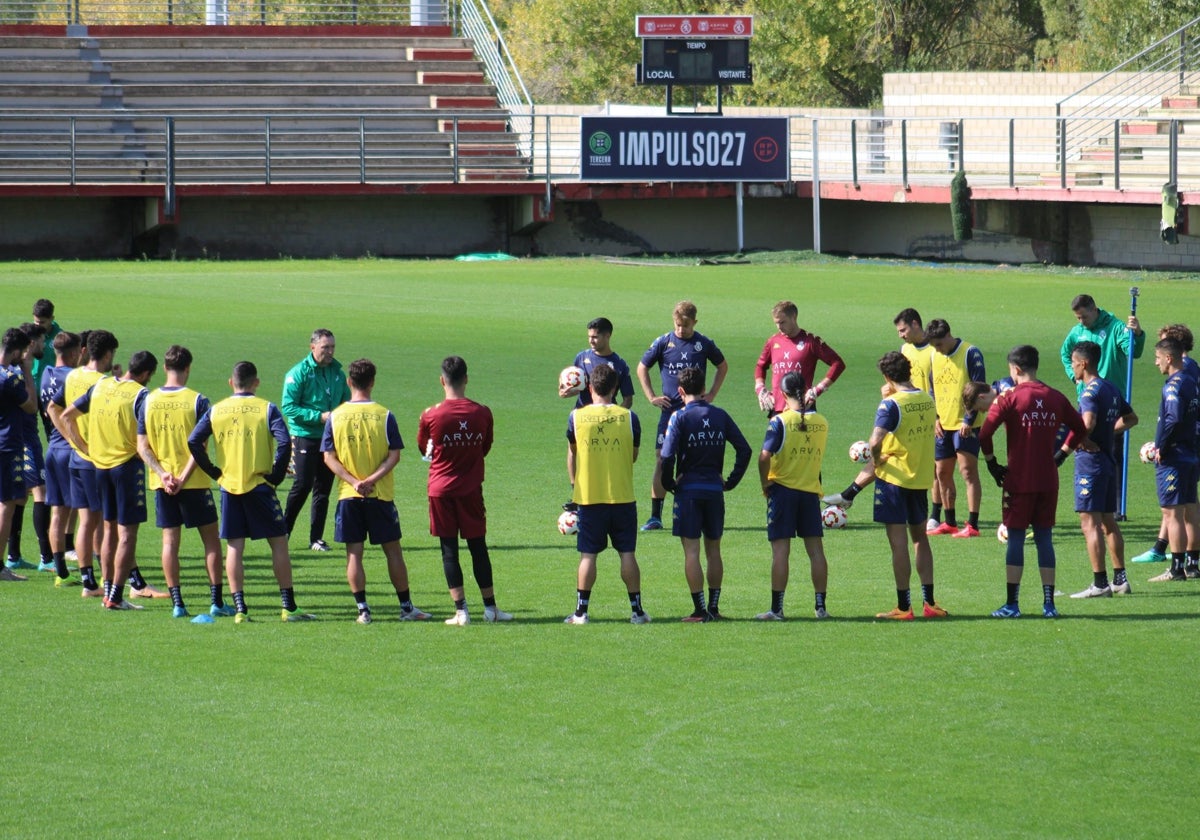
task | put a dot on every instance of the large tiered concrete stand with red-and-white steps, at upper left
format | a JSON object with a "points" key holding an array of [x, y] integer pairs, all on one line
{"points": [[285, 107]]}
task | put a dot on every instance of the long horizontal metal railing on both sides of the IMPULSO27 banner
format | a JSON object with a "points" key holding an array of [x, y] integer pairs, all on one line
{"points": [[388, 147]]}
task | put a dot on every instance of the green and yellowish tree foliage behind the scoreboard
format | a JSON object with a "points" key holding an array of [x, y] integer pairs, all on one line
{"points": [[831, 53]]}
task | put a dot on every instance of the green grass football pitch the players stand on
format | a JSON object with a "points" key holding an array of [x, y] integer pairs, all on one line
{"points": [[137, 724]]}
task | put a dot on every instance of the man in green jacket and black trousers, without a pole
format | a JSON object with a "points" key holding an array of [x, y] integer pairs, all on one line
{"points": [[311, 391]]}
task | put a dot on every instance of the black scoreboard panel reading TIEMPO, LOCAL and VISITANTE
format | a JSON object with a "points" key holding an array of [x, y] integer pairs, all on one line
{"points": [[695, 62]]}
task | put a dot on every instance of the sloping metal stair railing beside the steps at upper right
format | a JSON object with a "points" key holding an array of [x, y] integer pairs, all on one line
{"points": [[1132, 89]]}
